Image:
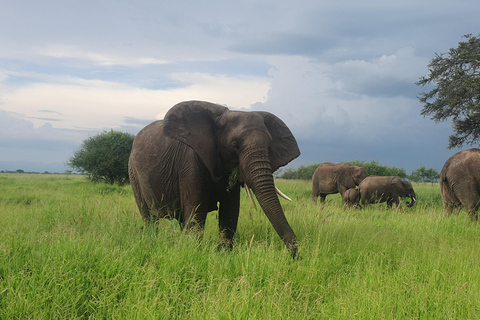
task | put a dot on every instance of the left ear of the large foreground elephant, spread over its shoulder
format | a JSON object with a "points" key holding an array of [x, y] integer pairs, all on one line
{"points": [[192, 122]]}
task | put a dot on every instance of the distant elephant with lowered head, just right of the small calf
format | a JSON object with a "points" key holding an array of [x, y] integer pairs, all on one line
{"points": [[375, 189]]}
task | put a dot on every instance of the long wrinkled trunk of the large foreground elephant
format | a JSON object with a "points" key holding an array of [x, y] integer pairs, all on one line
{"points": [[258, 175]]}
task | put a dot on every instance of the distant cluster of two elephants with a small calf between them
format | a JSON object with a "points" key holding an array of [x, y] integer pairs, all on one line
{"points": [[344, 178]]}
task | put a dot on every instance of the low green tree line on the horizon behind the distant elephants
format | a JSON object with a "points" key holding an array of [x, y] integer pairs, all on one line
{"points": [[373, 168]]}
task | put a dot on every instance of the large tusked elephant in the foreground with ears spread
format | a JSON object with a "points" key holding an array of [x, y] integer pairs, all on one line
{"points": [[199, 155]]}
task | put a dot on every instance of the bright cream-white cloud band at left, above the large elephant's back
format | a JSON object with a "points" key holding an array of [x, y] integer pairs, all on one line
{"points": [[96, 104]]}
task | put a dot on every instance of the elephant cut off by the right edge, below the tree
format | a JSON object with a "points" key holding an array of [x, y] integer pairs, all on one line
{"points": [[460, 182]]}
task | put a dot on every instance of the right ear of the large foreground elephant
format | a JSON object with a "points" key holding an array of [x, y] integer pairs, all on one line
{"points": [[283, 147]]}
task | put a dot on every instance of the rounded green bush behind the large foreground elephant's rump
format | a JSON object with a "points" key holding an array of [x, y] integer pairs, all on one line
{"points": [[104, 157]]}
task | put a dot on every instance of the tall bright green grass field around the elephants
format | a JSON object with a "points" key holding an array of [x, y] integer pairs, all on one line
{"points": [[70, 249]]}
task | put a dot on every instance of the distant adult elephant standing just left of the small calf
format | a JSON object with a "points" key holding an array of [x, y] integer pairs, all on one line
{"points": [[331, 178]]}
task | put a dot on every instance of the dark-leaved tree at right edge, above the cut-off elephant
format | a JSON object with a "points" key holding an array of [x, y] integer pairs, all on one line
{"points": [[457, 91]]}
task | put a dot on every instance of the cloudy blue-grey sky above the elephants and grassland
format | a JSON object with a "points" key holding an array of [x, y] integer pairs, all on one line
{"points": [[340, 74]]}
